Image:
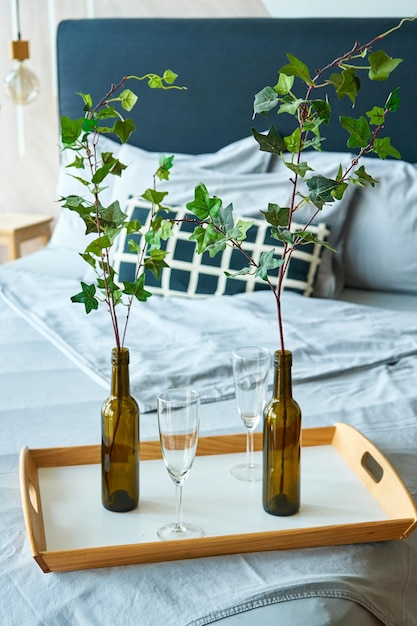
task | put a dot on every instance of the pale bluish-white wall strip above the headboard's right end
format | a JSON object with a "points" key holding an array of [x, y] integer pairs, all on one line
{"points": [[353, 8]]}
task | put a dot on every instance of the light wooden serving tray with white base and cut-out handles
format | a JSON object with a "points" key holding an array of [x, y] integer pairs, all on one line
{"points": [[350, 494]]}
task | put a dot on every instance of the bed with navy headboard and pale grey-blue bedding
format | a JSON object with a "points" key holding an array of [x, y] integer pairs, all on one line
{"points": [[354, 339]]}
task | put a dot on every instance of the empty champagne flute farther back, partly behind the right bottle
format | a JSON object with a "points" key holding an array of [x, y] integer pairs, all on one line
{"points": [[251, 365]]}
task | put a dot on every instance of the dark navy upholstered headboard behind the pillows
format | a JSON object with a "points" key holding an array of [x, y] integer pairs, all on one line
{"points": [[223, 63]]}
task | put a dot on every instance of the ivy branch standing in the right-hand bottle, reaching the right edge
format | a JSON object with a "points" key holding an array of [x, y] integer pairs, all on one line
{"points": [[217, 227]]}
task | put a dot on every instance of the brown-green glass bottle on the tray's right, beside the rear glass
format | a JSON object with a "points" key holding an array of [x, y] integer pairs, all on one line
{"points": [[282, 443]]}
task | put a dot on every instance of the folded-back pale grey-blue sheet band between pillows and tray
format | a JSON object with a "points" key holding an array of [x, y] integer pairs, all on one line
{"points": [[182, 341]]}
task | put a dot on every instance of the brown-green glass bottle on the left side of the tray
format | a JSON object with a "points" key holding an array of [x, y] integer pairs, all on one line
{"points": [[120, 440]]}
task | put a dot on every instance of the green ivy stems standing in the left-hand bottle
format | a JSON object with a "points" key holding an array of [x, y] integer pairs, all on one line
{"points": [[107, 222]]}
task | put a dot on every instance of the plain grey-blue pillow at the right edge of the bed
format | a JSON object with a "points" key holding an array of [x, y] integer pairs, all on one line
{"points": [[380, 251]]}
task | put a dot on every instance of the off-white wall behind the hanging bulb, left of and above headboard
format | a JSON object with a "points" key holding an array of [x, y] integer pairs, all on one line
{"points": [[30, 155]]}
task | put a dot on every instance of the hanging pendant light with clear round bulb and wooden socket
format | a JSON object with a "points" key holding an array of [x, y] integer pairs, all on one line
{"points": [[20, 84]]}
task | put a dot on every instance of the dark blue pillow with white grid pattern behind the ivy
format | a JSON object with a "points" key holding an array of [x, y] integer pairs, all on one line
{"points": [[197, 275]]}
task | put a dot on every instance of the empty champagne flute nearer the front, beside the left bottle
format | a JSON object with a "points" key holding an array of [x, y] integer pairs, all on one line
{"points": [[178, 422]]}
